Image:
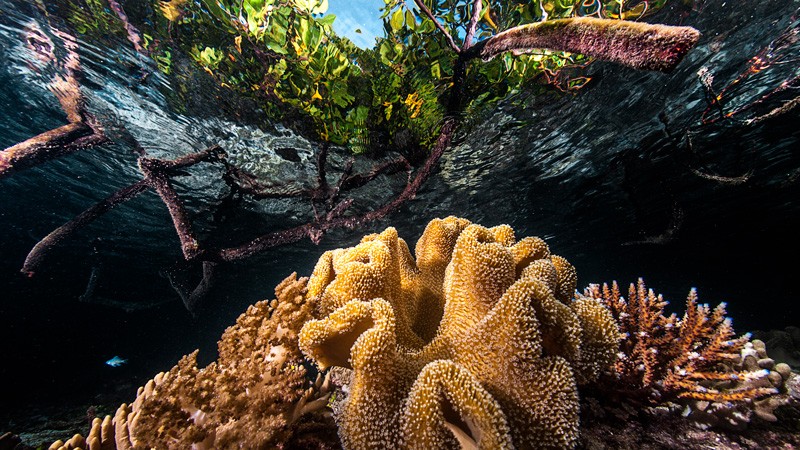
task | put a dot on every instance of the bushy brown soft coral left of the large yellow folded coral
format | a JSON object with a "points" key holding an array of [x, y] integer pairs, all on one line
{"points": [[256, 395]]}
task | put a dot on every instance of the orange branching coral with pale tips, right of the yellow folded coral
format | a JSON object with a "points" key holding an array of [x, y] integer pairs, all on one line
{"points": [[665, 358]]}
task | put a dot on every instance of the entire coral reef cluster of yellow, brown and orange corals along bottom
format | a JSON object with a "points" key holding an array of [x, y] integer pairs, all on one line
{"points": [[479, 342]]}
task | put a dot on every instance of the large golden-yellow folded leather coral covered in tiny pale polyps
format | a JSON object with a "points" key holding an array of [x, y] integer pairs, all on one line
{"points": [[477, 343]]}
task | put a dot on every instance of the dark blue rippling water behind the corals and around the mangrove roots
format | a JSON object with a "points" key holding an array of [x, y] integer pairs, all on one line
{"points": [[687, 179]]}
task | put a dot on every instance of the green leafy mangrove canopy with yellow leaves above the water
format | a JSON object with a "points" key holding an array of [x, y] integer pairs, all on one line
{"points": [[285, 52]]}
